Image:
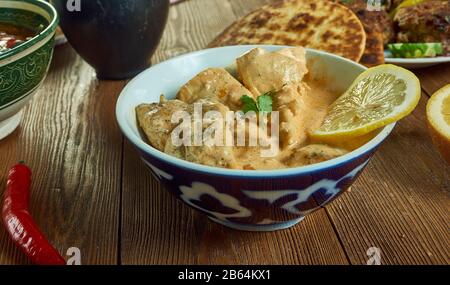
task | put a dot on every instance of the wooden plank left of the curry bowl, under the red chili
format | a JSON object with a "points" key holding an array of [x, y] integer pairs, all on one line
{"points": [[70, 139]]}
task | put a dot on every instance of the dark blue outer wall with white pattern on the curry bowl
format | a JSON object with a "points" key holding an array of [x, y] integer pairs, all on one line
{"points": [[257, 205]]}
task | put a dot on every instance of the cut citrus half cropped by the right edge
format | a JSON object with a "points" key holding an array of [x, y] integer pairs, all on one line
{"points": [[438, 116]]}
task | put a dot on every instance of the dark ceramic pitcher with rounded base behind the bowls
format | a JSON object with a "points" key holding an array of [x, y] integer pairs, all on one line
{"points": [[116, 37]]}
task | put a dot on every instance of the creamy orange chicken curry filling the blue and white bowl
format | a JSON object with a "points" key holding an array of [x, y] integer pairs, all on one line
{"points": [[300, 103]]}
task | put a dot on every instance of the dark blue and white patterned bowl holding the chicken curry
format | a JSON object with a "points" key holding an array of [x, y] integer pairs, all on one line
{"points": [[255, 200]]}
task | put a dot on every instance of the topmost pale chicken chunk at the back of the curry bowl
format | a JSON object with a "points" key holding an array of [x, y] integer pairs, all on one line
{"points": [[263, 71]]}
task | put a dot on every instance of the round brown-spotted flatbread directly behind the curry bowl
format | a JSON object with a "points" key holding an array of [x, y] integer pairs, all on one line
{"points": [[317, 24]]}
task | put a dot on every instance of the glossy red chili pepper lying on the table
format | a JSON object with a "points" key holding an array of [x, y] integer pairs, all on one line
{"points": [[19, 223]]}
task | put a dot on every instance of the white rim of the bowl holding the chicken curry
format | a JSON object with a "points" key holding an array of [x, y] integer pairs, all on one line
{"points": [[300, 170]]}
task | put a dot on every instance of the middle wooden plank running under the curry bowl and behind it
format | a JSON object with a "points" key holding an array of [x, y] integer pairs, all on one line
{"points": [[158, 229]]}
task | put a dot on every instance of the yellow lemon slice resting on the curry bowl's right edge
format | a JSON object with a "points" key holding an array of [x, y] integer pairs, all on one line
{"points": [[379, 96]]}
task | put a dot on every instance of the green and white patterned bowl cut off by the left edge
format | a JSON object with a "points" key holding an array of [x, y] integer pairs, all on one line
{"points": [[23, 68]]}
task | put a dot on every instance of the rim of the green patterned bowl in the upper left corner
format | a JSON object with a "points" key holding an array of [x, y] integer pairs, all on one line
{"points": [[51, 28]]}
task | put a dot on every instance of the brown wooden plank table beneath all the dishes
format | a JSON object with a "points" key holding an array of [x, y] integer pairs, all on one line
{"points": [[91, 191]]}
